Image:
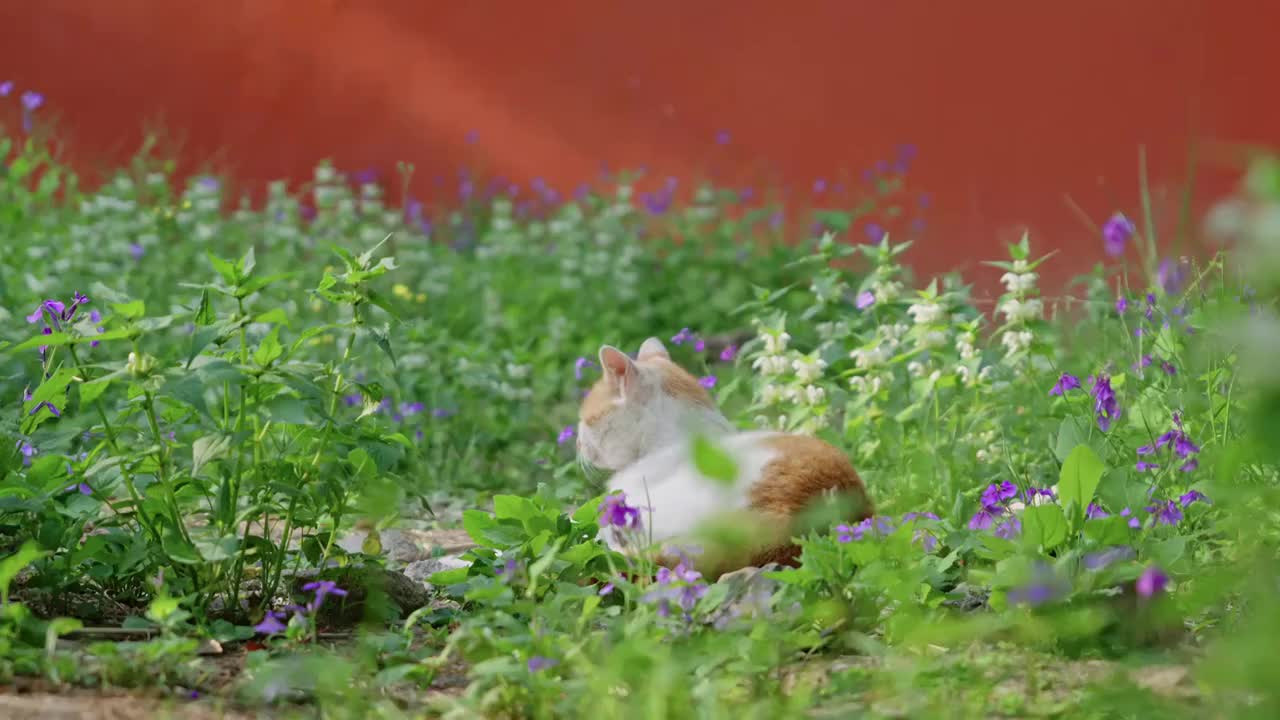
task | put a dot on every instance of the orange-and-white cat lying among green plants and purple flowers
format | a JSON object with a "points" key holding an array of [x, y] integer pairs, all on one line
{"points": [[639, 420]]}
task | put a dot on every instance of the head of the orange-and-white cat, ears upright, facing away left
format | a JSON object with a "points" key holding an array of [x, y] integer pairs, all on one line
{"points": [[641, 405]]}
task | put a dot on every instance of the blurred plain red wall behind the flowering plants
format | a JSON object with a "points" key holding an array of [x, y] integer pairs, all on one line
{"points": [[1012, 104]]}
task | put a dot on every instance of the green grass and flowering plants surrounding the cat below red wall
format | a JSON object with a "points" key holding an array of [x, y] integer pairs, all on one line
{"points": [[222, 459]]}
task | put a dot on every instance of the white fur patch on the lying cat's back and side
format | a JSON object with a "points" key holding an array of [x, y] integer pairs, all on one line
{"points": [[675, 499]]}
